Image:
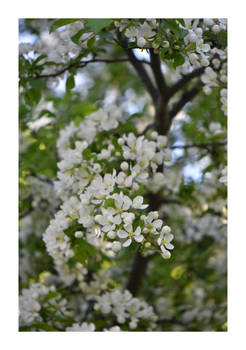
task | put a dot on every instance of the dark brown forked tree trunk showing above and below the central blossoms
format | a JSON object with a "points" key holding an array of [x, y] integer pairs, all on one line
{"points": [[160, 94]]}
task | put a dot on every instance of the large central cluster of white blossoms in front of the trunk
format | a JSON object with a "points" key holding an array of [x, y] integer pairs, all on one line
{"points": [[104, 203]]}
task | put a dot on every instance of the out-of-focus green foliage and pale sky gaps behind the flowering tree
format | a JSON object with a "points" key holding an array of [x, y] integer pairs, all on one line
{"points": [[189, 291]]}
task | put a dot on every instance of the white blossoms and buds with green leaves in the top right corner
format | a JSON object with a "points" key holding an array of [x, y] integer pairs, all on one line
{"points": [[196, 49]]}
